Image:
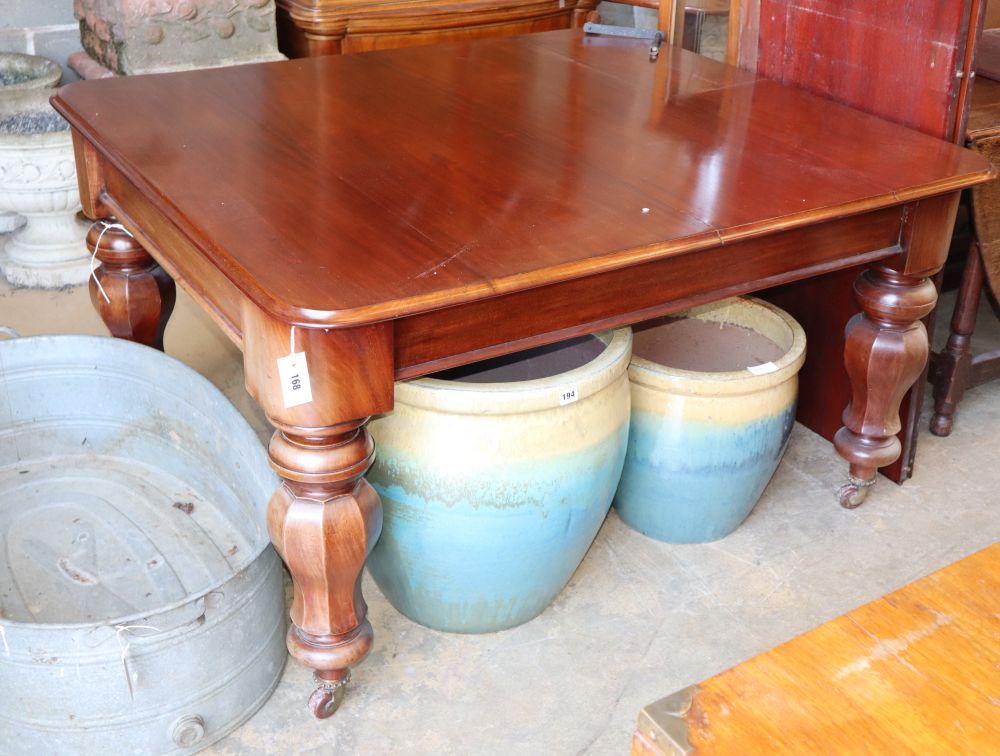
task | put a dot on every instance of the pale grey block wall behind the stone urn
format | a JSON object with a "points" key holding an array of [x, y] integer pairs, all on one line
{"points": [[40, 27]]}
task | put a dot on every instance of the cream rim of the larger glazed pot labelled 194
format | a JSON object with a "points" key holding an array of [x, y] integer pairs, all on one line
{"points": [[517, 397]]}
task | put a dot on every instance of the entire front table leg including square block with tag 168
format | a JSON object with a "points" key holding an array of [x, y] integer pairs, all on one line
{"points": [[325, 518]]}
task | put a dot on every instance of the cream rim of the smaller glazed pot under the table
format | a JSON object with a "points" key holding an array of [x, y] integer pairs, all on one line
{"points": [[648, 373]]}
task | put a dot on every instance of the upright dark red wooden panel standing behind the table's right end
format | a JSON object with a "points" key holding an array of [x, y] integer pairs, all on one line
{"points": [[896, 59]]}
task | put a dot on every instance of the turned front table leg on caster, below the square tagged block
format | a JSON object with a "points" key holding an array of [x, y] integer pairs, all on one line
{"points": [[323, 522]]}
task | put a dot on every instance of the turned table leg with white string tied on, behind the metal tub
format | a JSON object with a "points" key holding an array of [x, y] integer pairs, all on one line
{"points": [[132, 293]]}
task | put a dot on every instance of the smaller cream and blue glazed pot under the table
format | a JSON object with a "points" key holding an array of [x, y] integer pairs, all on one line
{"points": [[702, 445]]}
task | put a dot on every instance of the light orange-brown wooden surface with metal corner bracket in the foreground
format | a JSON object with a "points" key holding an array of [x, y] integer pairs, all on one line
{"points": [[912, 672]]}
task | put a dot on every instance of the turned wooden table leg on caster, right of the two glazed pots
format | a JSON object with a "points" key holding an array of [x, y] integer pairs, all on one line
{"points": [[885, 351]]}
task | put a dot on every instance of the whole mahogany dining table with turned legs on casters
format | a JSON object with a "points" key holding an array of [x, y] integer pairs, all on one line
{"points": [[351, 221]]}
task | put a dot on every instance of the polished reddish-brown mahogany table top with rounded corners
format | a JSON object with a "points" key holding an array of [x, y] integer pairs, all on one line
{"points": [[354, 189]]}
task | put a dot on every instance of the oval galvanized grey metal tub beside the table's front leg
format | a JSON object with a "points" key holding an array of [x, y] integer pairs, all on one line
{"points": [[141, 606]]}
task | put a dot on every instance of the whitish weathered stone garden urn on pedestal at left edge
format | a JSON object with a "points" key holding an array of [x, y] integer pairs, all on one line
{"points": [[38, 179]]}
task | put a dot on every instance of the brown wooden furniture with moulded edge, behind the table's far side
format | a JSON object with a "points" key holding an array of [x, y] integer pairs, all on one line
{"points": [[330, 27]]}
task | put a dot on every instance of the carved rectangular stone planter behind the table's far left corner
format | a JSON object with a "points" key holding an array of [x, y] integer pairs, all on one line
{"points": [[152, 36]]}
